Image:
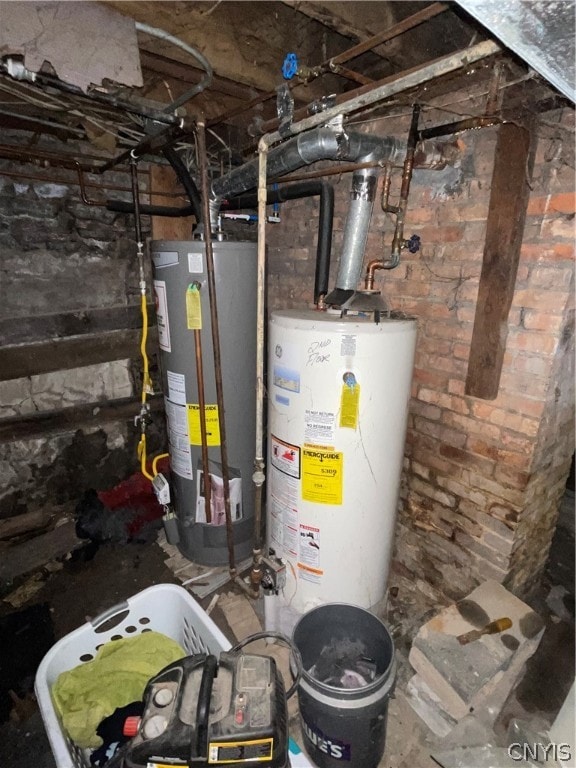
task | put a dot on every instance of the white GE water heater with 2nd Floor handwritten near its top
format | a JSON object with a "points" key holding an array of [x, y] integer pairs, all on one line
{"points": [[338, 393]]}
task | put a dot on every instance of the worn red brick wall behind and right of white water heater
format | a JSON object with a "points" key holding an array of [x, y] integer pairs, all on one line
{"points": [[482, 479]]}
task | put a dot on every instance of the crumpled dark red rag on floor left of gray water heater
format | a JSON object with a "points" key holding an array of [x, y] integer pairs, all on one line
{"points": [[136, 493]]}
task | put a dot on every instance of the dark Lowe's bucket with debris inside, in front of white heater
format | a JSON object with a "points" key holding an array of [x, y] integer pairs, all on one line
{"points": [[344, 726]]}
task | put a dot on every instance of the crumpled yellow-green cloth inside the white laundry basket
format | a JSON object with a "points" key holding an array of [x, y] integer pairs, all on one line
{"points": [[117, 675]]}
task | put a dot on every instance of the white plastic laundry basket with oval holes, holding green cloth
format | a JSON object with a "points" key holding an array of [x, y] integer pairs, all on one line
{"points": [[164, 608]]}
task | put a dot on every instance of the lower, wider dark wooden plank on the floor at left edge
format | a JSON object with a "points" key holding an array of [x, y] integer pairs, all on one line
{"points": [[33, 554]]}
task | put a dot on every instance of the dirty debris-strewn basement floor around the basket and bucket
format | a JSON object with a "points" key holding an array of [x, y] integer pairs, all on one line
{"points": [[84, 589]]}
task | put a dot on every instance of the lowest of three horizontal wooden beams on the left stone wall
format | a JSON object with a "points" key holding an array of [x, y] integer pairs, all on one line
{"points": [[69, 419]]}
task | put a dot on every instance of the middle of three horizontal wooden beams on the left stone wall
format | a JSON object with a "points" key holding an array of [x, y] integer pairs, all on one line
{"points": [[74, 352]]}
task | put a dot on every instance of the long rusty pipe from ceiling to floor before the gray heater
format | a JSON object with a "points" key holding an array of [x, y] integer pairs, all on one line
{"points": [[205, 191]]}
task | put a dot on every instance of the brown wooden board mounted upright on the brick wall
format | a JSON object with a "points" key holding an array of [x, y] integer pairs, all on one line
{"points": [[513, 163]]}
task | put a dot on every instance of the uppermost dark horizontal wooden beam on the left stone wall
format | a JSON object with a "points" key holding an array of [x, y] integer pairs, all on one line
{"points": [[79, 322]]}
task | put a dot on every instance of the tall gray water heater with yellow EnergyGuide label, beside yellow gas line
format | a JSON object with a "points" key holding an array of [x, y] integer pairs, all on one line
{"points": [[180, 287]]}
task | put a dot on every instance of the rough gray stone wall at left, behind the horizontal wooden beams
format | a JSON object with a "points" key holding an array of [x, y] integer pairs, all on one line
{"points": [[61, 261]]}
